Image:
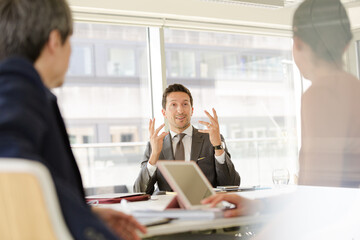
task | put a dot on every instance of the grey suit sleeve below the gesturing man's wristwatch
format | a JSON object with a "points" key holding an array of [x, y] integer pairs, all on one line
{"points": [[226, 173]]}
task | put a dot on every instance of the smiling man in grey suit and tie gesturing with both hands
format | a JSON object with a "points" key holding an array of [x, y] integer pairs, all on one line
{"points": [[184, 142]]}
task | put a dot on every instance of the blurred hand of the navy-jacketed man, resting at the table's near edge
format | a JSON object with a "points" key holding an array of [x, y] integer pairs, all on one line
{"points": [[121, 224]]}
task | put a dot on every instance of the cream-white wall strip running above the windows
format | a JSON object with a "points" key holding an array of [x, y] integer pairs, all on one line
{"points": [[204, 15]]}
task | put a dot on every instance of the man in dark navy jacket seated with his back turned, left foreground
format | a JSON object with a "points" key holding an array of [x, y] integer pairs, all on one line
{"points": [[34, 55]]}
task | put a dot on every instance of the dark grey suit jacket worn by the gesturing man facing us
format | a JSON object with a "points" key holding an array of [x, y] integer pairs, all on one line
{"points": [[201, 147]]}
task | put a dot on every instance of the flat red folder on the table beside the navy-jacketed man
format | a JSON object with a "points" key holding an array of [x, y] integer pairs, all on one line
{"points": [[102, 199]]}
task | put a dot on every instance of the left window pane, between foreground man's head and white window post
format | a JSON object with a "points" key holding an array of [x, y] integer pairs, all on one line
{"points": [[105, 101]]}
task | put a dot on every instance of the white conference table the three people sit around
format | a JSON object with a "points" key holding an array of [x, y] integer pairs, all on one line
{"points": [[312, 213]]}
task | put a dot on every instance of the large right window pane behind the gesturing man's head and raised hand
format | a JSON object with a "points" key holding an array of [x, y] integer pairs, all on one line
{"points": [[249, 80]]}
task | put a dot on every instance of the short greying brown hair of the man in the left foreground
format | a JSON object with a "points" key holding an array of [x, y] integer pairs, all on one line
{"points": [[25, 26]]}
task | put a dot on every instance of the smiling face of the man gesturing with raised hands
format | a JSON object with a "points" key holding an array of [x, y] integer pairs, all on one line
{"points": [[178, 111]]}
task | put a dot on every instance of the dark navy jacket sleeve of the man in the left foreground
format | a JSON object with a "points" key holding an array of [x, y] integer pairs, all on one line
{"points": [[22, 127]]}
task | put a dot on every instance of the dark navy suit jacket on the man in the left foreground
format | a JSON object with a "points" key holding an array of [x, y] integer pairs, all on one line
{"points": [[31, 127]]}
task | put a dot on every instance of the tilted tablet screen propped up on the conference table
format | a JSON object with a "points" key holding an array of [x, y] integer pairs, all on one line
{"points": [[189, 181]]}
